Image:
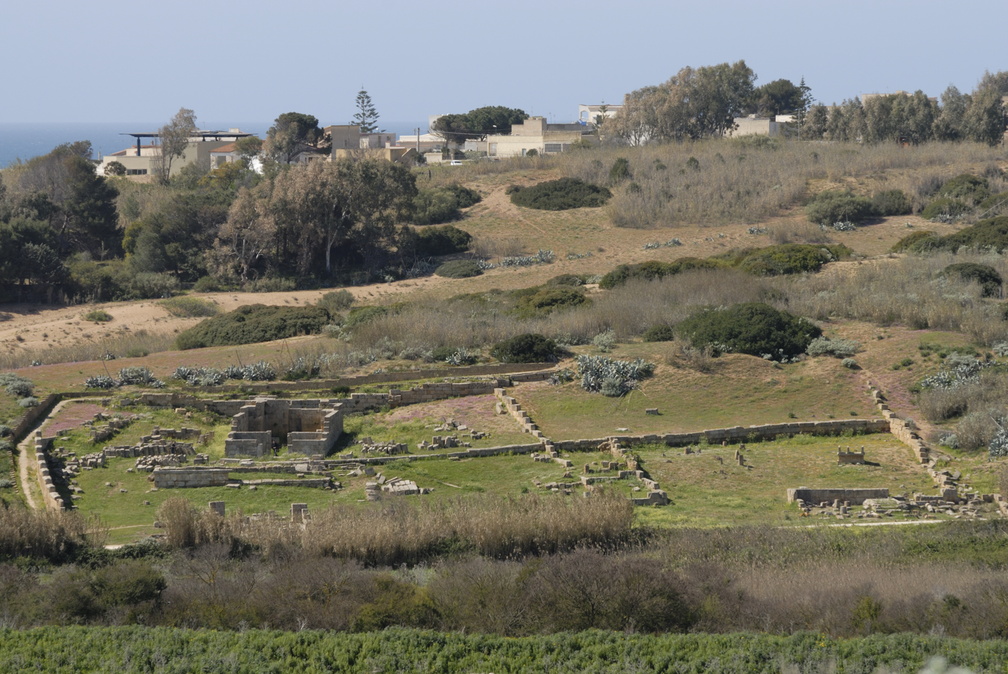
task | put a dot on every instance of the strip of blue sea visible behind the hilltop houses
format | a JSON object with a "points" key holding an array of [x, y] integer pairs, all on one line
{"points": [[23, 142]]}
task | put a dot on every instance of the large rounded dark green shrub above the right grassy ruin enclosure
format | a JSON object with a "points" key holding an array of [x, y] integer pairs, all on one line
{"points": [[754, 329]]}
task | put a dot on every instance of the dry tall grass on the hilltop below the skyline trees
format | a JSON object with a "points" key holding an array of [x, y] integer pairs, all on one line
{"points": [[745, 181]]}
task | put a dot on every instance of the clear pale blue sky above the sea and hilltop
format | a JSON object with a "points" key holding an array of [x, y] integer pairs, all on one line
{"points": [[114, 61]]}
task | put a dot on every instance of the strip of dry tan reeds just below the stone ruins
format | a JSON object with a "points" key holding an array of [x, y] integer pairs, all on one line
{"points": [[401, 532]]}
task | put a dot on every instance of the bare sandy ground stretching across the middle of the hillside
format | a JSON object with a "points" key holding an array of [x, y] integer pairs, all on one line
{"points": [[497, 224]]}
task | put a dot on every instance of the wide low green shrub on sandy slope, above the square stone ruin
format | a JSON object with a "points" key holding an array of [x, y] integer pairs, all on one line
{"points": [[255, 324]]}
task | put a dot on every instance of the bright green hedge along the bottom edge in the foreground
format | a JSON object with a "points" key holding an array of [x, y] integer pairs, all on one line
{"points": [[137, 649]]}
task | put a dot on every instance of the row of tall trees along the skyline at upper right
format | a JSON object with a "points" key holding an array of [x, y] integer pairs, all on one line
{"points": [[704, 102]]}
